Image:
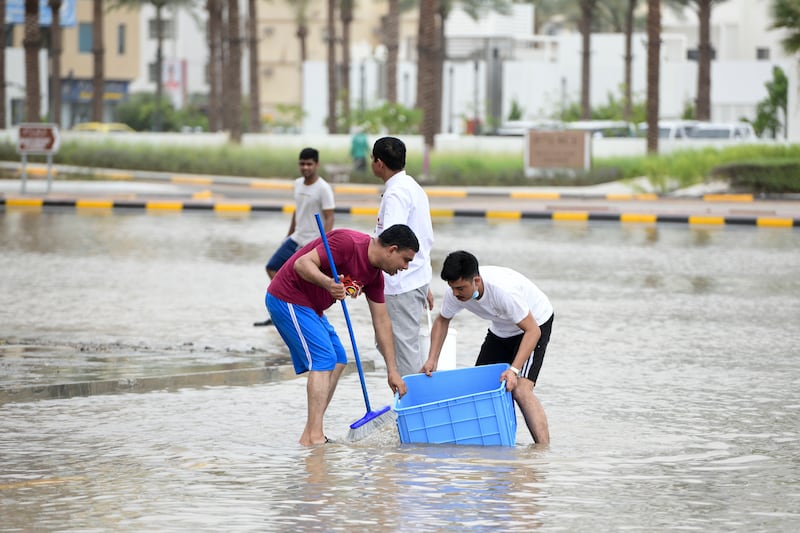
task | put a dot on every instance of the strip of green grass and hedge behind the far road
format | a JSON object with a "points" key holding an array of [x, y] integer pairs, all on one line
{"points": [[665, 172]]}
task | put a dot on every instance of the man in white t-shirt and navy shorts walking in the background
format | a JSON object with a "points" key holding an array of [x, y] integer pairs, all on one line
{"points": [[312, 195]]}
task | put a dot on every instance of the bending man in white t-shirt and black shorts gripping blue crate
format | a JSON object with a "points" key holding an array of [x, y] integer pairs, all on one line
{"points": [[521, 318]]}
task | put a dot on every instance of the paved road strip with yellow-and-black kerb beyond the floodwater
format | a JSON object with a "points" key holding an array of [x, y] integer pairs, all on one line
{"points": [[623, 201]]}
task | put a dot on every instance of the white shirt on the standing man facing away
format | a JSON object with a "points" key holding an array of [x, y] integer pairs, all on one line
{"points": [[405, 202]]}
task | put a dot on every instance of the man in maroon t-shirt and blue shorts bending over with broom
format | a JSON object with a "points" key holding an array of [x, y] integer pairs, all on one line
{"points": [[304, 288]]}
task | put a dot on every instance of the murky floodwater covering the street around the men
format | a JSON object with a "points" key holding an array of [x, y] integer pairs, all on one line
{"points": [[672, 385]]}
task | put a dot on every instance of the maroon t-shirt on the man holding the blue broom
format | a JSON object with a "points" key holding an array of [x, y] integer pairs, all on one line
{"points": [[349, 250]]}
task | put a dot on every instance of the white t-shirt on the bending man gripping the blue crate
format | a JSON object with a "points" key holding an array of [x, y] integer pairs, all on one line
{"points": [[507, 298]]}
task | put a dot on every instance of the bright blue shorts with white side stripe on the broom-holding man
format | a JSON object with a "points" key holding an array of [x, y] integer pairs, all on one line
{"points": [[311, 339]]}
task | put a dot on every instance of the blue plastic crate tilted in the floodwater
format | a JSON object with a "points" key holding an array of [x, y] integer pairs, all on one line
{"points": [[460, 406]]}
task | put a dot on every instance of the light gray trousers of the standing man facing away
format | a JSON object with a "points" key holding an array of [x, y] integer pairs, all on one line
{"points": [[406, 311]]}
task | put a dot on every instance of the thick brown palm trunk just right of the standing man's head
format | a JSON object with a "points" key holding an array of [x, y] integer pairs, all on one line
{"points": [[427, 58]]}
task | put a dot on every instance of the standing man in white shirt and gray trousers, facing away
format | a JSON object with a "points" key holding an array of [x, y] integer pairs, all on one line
{"points": [[408, 292]]}
